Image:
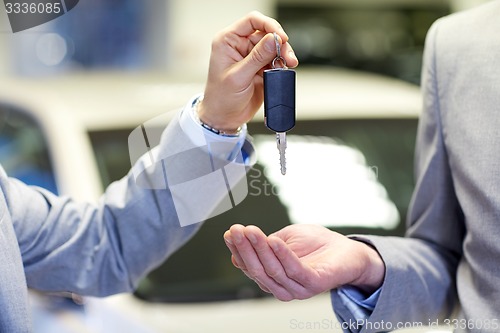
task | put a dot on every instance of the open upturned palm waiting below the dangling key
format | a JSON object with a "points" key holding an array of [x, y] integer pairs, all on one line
{"points": [[299, 261]]}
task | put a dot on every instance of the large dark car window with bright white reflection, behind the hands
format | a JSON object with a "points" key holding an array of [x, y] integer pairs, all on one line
{"points": [[201, 270]]}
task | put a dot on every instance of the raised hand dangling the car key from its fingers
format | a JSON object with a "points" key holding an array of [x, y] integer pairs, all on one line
{"points": [[240, 54]]}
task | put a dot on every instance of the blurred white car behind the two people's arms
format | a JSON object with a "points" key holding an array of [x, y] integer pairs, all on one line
{"points": [[349, 167]]}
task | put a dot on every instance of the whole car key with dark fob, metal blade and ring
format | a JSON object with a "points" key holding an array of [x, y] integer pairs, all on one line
{"points": [[279, 101]]}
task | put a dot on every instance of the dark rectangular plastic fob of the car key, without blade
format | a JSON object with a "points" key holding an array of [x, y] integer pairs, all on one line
{"points": [[279, 99]]}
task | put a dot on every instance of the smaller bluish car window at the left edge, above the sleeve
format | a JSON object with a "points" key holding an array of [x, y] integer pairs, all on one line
{"points": [[24, 152]]}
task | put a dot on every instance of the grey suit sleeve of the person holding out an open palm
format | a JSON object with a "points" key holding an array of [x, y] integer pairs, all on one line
{"points": [[419, 284]]}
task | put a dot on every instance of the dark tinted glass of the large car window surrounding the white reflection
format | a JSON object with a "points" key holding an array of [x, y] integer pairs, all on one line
{"points": [[201, 270]]}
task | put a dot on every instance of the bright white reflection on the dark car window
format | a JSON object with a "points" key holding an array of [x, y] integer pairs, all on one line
{"points": [[327, 183]]}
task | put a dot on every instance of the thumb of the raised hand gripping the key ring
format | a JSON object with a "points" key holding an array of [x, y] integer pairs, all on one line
{"points": [[261, 56]]}
